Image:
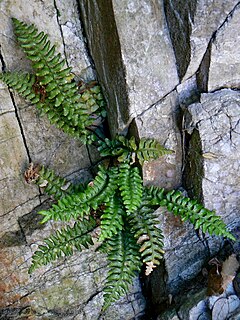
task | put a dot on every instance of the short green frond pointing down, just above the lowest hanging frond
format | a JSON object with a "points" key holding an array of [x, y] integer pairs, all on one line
{"points": [[112, 218]]}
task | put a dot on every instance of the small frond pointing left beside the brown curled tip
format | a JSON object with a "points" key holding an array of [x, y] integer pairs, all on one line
{"points": [[56, 185]]}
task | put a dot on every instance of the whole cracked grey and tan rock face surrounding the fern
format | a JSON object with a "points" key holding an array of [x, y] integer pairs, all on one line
{"points": [[169, 70]]}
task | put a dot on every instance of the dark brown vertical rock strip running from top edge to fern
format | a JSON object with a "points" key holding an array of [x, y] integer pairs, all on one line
{"points": [[100, 29]]}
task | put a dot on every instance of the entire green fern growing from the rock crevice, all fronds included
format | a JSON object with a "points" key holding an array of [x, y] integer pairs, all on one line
{"points": [[116, 200]]}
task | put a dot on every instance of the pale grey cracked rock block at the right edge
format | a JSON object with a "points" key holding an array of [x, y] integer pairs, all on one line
{"points": [[216, 118]]}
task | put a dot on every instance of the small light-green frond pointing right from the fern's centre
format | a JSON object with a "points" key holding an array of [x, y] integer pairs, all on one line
{"points": [[150, 149]]}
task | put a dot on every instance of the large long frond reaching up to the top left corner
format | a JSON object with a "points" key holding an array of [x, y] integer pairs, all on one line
{"points": [[65, 107]]}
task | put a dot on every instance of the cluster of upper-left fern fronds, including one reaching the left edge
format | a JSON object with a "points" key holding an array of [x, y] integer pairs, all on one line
{"points": [[52, 88]]}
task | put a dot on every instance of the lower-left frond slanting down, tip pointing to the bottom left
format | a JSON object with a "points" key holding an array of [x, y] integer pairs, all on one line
{"points": [[63, 243]]}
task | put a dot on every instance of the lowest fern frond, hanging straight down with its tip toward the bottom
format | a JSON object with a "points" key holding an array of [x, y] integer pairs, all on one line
{"points": [[124, 262]]}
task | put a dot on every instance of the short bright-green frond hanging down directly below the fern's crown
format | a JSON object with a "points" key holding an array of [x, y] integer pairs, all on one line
{"points": [[130, 186]]}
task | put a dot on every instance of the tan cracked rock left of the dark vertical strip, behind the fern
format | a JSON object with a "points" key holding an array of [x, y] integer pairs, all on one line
{"points": [[70, 288]]}
